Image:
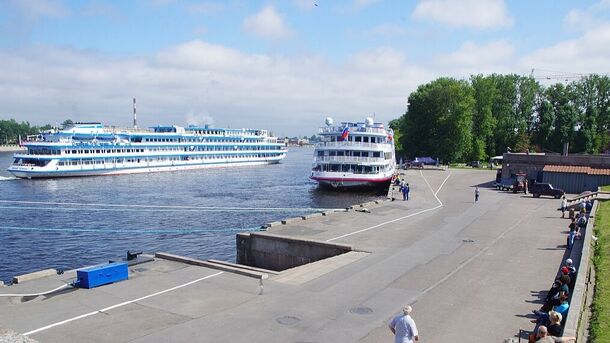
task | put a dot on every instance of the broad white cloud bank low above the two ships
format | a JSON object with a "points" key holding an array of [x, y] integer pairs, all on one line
{"points": [[200, 82]]}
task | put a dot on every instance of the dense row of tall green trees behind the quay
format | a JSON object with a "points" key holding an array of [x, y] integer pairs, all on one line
{"points": [[473, 120]]}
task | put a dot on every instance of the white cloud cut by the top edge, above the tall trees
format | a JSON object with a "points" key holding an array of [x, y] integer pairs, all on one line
{"points": [[478, 14]]}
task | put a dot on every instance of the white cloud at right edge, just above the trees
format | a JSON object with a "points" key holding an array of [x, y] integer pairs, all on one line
{"points": [[589, 53]]}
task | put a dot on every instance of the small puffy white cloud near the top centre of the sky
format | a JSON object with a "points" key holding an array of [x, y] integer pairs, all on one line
{"points": [[267, 24]]}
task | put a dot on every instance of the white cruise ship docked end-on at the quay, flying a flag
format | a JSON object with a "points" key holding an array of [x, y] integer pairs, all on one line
{"points": [[354, 155]]}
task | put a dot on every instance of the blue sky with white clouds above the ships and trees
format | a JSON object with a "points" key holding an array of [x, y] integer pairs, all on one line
{"points": [[280, 65]]}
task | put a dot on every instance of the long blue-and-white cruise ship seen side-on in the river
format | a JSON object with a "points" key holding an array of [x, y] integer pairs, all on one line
{"points": [[86, 149]]}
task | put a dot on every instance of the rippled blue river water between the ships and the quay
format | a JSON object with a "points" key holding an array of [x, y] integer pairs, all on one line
{"points": [[68, 223]]}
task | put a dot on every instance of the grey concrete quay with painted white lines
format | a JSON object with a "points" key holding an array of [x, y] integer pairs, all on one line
{"points": [[472, 272]]}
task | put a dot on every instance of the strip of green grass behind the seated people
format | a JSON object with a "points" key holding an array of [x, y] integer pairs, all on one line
{"points": [[600, 321]]}
